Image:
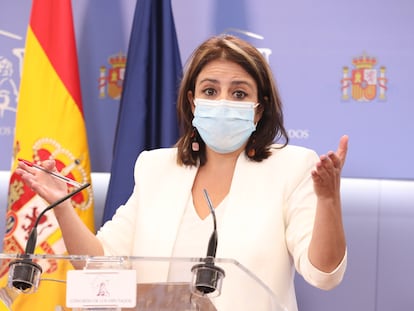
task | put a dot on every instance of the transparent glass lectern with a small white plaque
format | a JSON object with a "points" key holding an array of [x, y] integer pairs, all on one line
{"points": [[159, 284]]}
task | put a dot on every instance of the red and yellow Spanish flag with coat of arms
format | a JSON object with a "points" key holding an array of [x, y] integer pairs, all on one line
{"points": [[49, 125]]}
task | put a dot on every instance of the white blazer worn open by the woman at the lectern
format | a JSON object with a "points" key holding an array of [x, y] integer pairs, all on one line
{"points": [[267, 225]]}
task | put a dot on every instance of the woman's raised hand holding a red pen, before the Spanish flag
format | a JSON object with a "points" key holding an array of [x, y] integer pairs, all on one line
{"points": [[49, 188]]}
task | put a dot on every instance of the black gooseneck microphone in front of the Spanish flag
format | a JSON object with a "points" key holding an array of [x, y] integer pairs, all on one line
{"points": [[24, 273]]}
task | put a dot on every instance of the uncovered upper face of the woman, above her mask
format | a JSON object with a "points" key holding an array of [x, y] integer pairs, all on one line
{"points": [[222, 79]]}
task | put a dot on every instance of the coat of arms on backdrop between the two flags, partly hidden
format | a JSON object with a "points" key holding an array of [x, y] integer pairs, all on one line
{"points": [[111, 80]]}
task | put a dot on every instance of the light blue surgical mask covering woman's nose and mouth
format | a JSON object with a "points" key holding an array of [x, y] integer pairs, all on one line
{"points": [[222, 124]]}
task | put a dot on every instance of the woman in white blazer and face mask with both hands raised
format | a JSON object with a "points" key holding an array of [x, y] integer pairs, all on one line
{"points": [[278, 206]]}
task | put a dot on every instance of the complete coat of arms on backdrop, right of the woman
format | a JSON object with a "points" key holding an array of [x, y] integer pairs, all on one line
{"points": [[366, 82]]}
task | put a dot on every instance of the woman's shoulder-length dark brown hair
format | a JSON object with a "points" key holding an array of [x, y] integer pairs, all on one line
{"points": [[269, 129]]}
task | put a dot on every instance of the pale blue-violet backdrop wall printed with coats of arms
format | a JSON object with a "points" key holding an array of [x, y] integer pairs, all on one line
{"points": [[321, 51]]}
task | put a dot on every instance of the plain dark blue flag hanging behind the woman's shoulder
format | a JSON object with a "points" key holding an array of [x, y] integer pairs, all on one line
{"points": [[147, 117]]}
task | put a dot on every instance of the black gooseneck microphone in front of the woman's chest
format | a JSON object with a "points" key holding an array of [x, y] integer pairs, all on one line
{"points": [[207, 277]]}
